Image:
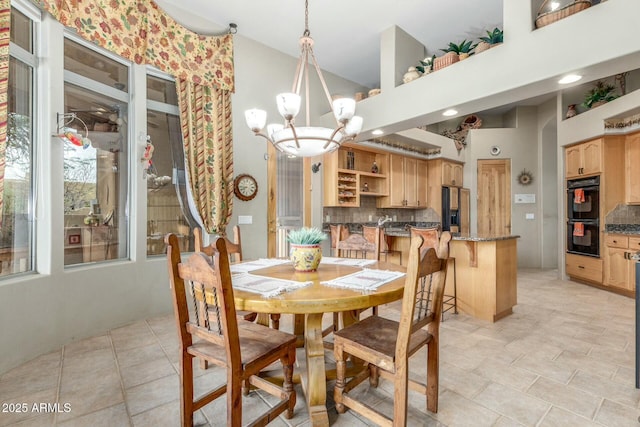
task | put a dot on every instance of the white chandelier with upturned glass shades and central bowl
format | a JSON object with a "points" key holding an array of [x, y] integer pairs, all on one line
{"points": [[306, 141]]}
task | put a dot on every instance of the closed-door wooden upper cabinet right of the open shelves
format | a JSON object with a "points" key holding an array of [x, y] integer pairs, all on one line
{"points": [[407, 189]]}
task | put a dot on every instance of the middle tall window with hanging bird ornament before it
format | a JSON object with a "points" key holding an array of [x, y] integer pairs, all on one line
{"points": [[96, 185]]}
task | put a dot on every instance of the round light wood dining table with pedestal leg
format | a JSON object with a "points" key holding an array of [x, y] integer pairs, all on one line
{"points": [[313, 301]]}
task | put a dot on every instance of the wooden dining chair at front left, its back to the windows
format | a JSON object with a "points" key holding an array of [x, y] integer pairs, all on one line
{"points": [[212, 331]]}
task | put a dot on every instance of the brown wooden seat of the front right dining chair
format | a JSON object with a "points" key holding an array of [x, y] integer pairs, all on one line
{"points": [[378, 336]]}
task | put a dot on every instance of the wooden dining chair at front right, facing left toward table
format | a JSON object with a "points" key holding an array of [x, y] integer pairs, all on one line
{"points": [[386, 345]]}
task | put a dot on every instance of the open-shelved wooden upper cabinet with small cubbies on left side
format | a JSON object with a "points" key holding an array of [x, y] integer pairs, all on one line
{"points": [[351, 173]]}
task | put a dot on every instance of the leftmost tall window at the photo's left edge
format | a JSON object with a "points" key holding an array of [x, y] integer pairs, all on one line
{"points": [[16, 237]]}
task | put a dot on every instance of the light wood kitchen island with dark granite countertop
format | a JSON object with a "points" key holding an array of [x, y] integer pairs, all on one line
{"points": [[485, 272]]}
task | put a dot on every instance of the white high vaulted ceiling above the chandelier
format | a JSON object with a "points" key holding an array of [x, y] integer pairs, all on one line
{"points": [[346, 32]]}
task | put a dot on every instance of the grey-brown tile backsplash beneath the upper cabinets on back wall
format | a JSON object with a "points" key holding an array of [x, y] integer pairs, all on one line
{"points": [[368, 208]]}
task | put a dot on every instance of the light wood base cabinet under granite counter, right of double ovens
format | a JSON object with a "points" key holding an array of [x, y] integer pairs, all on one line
{"points": [[619, 268]]}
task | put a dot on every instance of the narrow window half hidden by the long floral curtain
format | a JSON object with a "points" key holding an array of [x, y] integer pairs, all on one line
{"points": [[167, 207]]}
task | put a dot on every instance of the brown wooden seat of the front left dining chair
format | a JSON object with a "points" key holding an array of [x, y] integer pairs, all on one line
{"points": [[256, 341]]}
